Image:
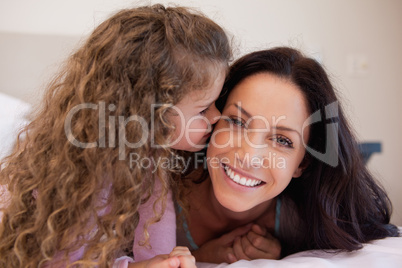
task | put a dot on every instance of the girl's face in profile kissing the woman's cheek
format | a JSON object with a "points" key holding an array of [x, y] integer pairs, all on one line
{"points": [[194, 116]]}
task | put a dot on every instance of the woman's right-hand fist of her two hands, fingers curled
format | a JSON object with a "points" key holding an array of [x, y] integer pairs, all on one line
{"points": [[257, 244]]}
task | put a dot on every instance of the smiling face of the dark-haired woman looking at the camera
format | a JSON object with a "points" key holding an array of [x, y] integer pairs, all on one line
{"points": [[257, 145]]}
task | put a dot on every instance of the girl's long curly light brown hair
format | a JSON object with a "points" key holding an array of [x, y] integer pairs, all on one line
{"points": [[70, 185]]}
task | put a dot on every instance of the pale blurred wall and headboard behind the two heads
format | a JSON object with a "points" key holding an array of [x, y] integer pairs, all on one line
{"points": [[358, 41]]}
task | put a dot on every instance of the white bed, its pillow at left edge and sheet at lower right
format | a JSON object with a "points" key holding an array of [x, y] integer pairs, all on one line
{"points": [[380, 253]]}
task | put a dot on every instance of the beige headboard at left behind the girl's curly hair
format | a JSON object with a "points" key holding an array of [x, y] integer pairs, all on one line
{"points": [[28, 61]]}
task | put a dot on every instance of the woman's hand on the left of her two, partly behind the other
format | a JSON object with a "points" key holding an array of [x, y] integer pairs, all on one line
{"points": [[221, 249]]}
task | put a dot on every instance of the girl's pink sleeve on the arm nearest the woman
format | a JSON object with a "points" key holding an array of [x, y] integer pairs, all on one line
{"points": [[162, 234]]}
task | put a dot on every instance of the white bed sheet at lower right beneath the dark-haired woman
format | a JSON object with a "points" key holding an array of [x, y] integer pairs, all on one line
{"points": [[383, 253]]}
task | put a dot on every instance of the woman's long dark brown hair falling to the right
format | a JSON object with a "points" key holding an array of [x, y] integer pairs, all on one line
{"points": [[339, 202]]}
